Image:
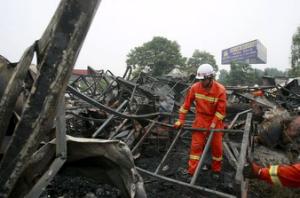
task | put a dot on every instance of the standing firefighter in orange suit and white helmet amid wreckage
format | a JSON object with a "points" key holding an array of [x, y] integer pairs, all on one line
{"points": [[210, 100]]}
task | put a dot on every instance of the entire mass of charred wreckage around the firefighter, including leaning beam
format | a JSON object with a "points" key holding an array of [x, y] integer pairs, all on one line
{"points": [[116, 133]]}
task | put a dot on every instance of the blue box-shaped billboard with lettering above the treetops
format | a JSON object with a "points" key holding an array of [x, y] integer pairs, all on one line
{"points": [[252, 52]]}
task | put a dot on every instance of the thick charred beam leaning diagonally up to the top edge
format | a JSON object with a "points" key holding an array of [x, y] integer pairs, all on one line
{"points": [[57, 52]]}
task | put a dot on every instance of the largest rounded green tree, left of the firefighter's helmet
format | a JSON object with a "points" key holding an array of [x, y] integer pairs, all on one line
{"points": [[160, 55]]}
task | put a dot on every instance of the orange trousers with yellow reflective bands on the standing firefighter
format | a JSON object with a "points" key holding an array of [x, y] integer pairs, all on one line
{"points": [[197, 146]]}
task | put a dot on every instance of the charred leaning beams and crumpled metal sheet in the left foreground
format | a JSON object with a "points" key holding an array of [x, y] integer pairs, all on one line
{"points": [[30, 160]]}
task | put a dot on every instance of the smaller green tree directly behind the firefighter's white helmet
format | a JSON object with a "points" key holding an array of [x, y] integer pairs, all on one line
{"points": [[198, 58]]}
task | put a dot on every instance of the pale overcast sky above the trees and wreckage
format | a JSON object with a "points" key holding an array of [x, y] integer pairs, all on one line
{"points": [[121, 25]]}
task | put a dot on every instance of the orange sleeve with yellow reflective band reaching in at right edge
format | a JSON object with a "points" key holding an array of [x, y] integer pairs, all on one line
{"points": [[281, 175]]}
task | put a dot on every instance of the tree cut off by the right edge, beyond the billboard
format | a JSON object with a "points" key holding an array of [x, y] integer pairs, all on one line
{"points": [[295, 59]]}
